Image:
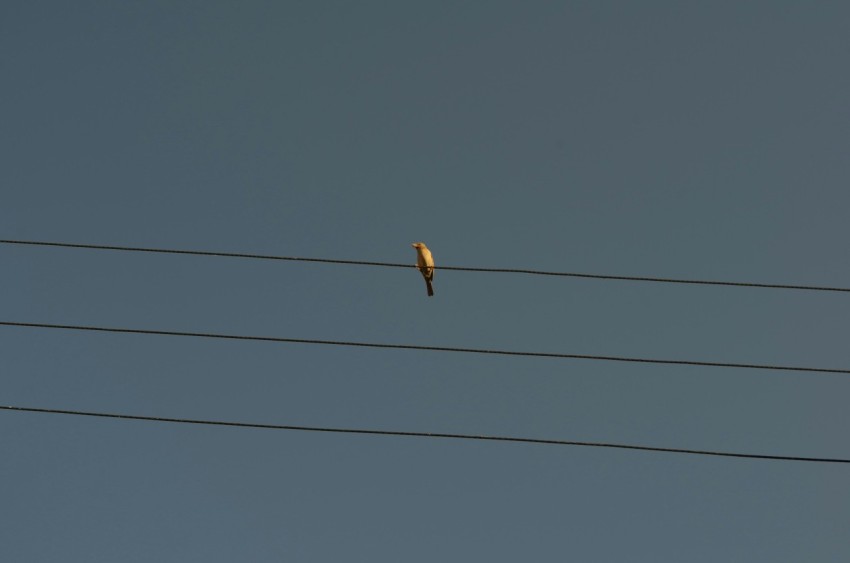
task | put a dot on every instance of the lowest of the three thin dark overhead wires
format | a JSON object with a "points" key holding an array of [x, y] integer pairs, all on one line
{"points": [[423, 435]]}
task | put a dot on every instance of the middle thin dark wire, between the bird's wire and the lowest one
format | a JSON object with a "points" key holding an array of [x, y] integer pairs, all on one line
{"points": [[417, 347]]}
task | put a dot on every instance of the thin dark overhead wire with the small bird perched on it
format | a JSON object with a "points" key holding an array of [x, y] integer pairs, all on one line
{"points": [[454, 268]]}
